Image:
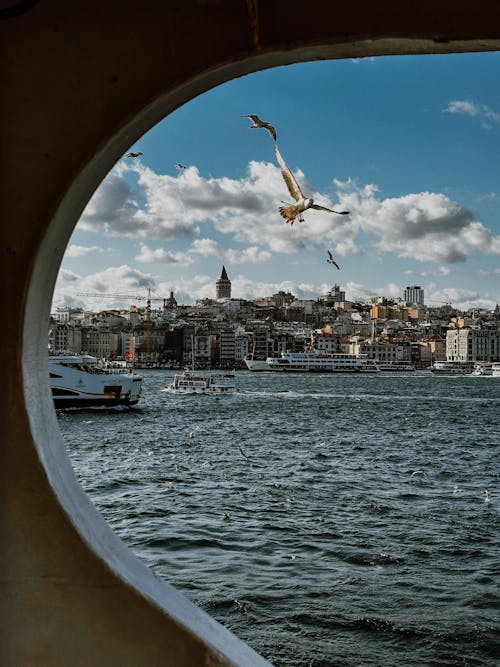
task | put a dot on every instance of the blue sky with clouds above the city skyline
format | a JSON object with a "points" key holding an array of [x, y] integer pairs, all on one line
{"points": [[409, 145]]}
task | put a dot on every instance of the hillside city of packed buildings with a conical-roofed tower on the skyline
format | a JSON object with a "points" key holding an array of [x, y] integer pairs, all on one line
{"points": [[221, 332]]}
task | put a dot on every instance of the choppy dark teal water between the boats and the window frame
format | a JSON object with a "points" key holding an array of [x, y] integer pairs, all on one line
{"points": [[326, 520]]}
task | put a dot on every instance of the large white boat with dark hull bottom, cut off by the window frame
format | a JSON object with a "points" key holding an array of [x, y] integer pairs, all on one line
{"points": [[82, 381]]}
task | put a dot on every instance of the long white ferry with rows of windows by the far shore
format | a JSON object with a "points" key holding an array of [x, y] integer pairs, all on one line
{"points": [[319, 362]]}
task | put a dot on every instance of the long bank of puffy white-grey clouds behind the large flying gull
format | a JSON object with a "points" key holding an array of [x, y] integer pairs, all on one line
{"points": [[425, 226]]}
